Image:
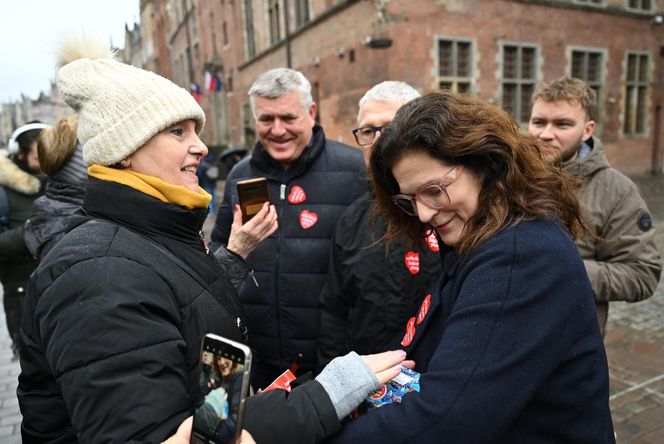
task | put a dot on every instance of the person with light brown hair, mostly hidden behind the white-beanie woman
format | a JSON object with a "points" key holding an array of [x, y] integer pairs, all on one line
{"points": [[61, 159]]}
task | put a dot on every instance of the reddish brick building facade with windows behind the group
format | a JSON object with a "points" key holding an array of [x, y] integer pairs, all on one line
{"points": [[496, 49]]}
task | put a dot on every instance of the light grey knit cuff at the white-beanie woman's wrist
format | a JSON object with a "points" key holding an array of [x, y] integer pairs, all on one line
{"points": [[347, 381]]}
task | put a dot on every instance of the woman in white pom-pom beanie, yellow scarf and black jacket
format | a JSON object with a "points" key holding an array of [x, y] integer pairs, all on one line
{"points": [[116, 311]]}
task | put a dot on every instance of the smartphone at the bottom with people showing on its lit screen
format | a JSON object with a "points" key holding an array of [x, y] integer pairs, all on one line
{"points": [[224, 383]]}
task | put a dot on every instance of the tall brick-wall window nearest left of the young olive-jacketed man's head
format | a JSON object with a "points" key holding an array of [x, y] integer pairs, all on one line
{"points": [[519, 78]]}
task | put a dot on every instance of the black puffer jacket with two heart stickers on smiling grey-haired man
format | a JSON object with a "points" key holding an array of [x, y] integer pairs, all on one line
{"points": [[290, 267]]}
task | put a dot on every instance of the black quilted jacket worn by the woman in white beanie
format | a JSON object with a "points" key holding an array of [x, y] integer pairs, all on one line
{"points": [[113, 327]]}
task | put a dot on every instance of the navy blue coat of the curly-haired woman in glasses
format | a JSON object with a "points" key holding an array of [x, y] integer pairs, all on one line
{"points": [[509, 350]]}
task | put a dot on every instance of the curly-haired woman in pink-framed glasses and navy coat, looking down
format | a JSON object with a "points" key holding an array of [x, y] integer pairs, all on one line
{"points": [[507, 341]]}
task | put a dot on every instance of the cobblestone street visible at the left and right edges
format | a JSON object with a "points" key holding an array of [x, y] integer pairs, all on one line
{"points": [[634, 344]]}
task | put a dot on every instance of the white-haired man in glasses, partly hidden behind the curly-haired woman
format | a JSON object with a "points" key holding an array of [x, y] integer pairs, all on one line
{"points": [[371, 291]]}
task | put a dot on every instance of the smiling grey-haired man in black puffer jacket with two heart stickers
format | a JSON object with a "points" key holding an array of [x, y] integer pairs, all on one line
{"points": [[311, 182]]}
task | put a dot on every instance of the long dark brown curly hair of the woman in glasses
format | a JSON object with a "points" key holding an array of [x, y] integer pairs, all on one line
{"points": [[516, 182]]}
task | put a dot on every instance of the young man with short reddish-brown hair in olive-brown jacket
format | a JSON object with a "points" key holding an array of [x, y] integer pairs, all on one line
{"points": [[620, 254]]}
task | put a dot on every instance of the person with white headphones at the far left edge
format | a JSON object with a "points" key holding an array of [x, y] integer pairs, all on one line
{"points": [[20, 184]]}
